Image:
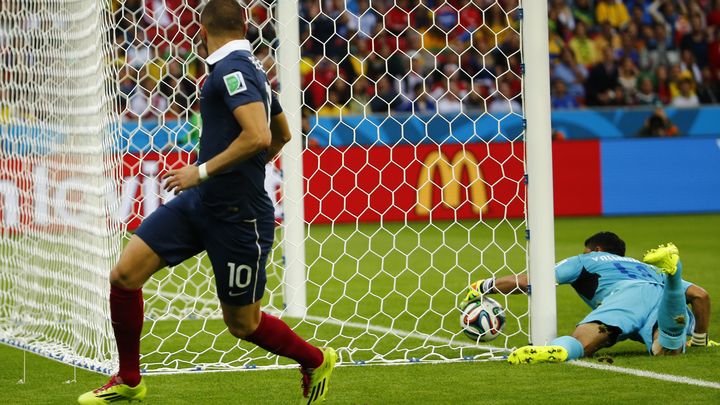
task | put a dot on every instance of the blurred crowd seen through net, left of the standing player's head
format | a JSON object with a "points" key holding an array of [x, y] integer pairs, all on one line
{"points": [[157, 68]]}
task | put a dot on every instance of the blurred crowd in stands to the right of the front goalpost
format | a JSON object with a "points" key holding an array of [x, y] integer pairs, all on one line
{"points": [[634, 52]]}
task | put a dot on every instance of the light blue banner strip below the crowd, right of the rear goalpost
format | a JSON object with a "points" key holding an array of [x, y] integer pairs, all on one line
{"points": [[476, 126]]}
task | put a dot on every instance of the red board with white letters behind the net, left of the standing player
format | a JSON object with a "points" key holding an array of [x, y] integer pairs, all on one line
{"points": [[45, 193]]}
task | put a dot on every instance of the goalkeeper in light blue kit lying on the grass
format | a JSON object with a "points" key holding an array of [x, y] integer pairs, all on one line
{"points": [[646, 302]]}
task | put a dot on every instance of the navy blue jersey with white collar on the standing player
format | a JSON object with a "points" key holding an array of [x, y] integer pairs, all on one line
{"points": [[236, 78]]}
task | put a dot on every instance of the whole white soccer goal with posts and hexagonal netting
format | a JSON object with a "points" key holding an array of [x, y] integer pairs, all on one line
{"points": [[420, 162]]}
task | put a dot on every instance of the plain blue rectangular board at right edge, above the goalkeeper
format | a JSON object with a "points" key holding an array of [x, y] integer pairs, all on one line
{"points": [[660, 176]]}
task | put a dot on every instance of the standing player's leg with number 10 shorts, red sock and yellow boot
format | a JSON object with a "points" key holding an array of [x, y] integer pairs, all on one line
{"points": [[238, 253]]}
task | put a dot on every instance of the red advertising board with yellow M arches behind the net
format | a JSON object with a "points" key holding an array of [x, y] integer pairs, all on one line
{"points": [[414, 182]]}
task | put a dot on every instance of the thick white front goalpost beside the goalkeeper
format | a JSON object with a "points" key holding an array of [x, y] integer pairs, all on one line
{"points": [[541, 229]]}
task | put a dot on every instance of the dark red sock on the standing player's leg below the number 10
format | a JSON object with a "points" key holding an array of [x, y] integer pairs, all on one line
{"points": [[276, 337]]}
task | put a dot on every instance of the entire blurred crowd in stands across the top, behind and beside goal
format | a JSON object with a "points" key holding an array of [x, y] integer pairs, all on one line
{"points": [[447, 56]]}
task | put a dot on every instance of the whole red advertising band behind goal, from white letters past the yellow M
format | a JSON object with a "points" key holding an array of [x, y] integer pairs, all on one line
{"points": [[399, 183]]}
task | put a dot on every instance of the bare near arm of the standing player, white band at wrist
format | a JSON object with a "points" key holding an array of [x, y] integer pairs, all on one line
{"points": [[254, 138]]}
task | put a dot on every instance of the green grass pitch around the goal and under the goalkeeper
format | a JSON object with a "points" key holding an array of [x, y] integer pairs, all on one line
{"points": [[697, 236]]}
